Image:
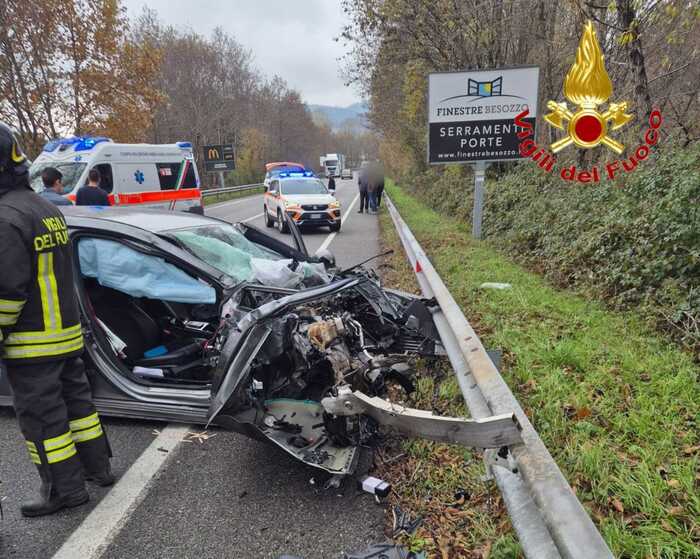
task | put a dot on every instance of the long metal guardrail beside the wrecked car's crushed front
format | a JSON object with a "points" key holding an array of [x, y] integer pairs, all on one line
{"points": [[548, 518]]}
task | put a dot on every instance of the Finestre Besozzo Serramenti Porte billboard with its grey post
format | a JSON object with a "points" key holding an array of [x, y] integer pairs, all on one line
{"points": [[471, 120]]}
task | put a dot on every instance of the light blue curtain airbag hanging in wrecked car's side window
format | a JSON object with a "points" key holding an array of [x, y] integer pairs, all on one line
{"points": [[122, 268]]}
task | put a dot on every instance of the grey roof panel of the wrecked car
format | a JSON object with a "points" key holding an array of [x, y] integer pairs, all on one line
{"points": [[155, 221]]}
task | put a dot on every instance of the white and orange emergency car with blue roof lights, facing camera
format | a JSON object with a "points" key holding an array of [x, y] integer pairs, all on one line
{"points": [[301, 197]]}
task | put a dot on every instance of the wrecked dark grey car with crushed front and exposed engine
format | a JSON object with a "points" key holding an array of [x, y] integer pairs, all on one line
{"points": [[189, 318]]}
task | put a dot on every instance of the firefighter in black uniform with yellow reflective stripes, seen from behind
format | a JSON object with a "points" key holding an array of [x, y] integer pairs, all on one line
{"points": [[41, 342]]}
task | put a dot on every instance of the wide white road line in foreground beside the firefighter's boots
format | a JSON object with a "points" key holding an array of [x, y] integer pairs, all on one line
{"points": [[91, 539]]}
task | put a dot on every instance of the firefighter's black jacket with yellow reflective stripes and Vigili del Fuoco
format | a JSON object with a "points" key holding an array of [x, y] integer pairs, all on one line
{"points": [[39, 316]]}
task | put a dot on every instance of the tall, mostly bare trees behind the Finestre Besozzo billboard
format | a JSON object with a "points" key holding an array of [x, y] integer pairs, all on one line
{"points": [[652, 53]]}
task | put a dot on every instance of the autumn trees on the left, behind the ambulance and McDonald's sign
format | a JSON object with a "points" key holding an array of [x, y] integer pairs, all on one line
{"points": [[82, 67]]}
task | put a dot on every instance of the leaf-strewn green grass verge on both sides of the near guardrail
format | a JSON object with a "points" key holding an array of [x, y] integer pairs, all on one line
{"points": [[617, 405]]}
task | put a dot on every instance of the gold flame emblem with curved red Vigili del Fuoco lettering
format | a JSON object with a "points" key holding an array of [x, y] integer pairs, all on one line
{"points": [[587, 86]]}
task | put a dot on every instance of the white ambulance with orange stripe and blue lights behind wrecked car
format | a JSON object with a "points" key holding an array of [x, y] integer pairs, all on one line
{"points": [[159, 176]]}
